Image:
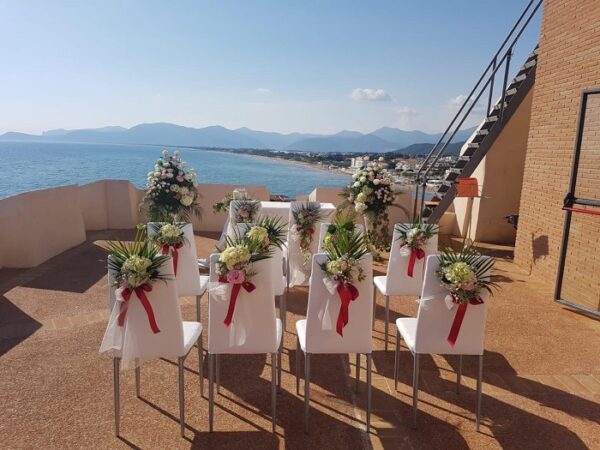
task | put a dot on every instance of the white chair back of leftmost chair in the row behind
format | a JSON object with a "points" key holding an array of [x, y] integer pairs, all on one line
{"points": [[187, 278]]}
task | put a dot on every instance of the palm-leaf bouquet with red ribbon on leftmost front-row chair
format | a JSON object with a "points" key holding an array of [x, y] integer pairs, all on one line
{"points": [[134, 268]]}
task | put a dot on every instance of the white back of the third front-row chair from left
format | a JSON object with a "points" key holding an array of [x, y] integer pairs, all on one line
{"points": [[321, 335]]}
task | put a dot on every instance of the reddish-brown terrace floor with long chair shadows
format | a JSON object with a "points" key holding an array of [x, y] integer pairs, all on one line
{"points": [[541, 376]]}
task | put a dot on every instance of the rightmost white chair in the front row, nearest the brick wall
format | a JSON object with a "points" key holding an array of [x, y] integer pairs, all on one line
{"points": [[428, 332]]}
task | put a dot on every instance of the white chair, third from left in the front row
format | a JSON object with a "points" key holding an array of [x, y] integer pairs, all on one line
{"points": [[317, 333]]}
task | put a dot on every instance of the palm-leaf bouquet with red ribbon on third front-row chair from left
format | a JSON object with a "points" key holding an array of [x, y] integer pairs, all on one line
{"points": [[342, 269]]}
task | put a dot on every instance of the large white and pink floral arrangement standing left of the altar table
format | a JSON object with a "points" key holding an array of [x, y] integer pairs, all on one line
{"points": [[171, 194]]}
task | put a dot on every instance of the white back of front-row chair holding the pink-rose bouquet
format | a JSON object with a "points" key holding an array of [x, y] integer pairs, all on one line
{"points": [[254, 328]]}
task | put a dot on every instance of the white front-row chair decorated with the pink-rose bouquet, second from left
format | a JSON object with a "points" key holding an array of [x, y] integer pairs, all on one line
{"points": [[254, 330]]}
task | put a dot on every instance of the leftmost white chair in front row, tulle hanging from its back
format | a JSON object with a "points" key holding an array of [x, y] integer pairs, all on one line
{"points": [[136, 342]]}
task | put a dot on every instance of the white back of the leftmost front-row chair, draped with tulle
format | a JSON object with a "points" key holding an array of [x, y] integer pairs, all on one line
{"points": [[136, 340]]}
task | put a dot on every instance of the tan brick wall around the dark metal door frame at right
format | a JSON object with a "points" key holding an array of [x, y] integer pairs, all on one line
{"points": [[569, 61]]}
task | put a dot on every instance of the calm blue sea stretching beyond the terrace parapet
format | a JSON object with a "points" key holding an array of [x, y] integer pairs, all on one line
{"points": [[28, 166]]}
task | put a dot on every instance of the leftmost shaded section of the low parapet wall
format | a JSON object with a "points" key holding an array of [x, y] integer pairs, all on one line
{"points": [[35, 226]]}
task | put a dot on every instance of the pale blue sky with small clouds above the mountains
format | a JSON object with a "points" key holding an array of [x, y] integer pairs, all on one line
{"points": [[317, 66]]}
